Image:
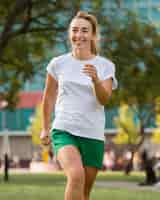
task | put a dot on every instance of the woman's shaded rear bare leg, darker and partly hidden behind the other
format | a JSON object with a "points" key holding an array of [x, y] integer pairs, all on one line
{"points": [[90, 176]]}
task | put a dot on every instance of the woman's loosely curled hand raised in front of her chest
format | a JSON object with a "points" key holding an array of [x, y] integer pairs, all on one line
{"points": [[91, 71]]}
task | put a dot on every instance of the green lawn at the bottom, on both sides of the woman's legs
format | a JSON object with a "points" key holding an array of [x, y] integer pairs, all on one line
{"points": [[51, 187]]}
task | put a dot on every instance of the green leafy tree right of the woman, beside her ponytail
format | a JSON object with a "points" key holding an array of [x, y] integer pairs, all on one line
{"points": [[134, 48]]}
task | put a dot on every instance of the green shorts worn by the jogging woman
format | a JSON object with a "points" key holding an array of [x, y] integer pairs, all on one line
{"points": [[91, 150]]}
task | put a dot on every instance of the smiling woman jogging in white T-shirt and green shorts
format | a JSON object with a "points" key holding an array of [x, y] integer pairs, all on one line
{"points": [[80, 82]]}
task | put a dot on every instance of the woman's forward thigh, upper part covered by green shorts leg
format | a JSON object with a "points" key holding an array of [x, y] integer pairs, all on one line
{"points": [[67, 152]]}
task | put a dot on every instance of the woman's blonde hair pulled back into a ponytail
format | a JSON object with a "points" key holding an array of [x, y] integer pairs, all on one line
{"points": [[93, 21]]}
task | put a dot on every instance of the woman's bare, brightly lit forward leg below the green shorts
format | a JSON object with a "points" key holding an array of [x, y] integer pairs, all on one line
{"points": [[70, 160]]}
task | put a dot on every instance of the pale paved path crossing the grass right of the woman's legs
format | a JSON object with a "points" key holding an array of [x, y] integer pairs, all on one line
{"points": [[127, 185]]}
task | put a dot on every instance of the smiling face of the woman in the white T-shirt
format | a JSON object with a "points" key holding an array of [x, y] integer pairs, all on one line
{"points": [[80, 34]]}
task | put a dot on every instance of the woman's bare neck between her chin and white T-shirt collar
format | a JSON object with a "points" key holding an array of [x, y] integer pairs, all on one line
{"points": [[82, 55]]}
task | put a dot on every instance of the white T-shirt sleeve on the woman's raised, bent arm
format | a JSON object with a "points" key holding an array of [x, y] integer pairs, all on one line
{"points": [[109, 72]]}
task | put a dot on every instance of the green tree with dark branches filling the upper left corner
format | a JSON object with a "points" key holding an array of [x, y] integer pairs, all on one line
{"points": [[29, 29]]}
